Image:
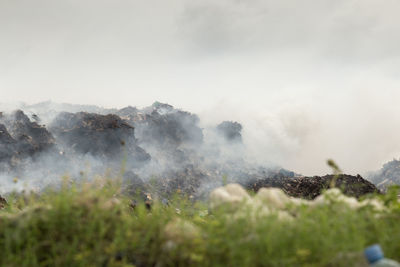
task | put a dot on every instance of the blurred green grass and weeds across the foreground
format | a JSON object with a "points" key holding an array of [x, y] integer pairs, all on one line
{"points": [[94, 225]]}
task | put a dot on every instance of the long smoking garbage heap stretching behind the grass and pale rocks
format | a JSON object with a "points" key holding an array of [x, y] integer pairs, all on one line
{"points": [[157, 149]]}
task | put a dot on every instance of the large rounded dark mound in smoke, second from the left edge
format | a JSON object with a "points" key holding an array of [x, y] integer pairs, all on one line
{"points": [[100, 135]]}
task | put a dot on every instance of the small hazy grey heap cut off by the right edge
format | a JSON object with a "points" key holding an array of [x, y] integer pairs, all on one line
{"points": [[387, 176]]}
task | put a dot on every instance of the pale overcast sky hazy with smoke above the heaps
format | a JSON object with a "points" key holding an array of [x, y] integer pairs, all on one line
{"points": [[309, 80]]}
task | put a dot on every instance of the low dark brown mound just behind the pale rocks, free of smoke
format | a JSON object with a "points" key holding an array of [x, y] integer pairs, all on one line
{"points": [[311, 187]]}
